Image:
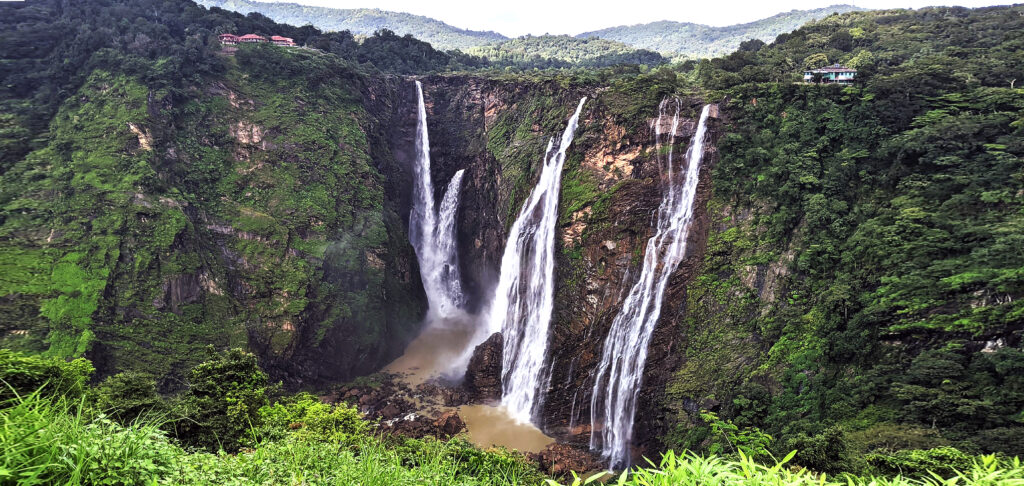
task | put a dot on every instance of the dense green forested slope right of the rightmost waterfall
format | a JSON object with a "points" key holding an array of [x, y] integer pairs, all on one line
{"points": [[863, 292]]}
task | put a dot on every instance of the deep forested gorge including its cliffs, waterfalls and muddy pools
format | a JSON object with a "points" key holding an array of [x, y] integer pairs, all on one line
{"points": [[710, 256]]}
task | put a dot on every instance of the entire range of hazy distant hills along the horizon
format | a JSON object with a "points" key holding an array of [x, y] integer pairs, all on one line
{"points": [[630, 45]]}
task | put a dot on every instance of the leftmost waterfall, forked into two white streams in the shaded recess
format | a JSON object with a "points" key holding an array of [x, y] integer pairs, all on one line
{"points": [[433, 232]]}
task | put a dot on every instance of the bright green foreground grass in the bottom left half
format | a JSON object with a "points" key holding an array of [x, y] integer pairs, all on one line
{"points": [[50, 441]]}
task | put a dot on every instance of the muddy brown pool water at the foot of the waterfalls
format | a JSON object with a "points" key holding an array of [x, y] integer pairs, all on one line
{"points": [[433, 355]]}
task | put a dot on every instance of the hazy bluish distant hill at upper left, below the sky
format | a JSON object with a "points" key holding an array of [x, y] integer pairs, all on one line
{"points": [[363, 22]]}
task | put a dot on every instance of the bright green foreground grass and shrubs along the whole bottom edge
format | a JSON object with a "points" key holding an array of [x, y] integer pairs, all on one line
{"points": [[54, 439]]}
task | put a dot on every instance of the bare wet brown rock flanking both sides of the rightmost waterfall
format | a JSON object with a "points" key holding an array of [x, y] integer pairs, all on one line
{"points": [[604, 275]]}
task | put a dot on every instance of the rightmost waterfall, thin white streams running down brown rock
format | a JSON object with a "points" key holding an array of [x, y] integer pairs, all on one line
{"points": [[621, 371]]}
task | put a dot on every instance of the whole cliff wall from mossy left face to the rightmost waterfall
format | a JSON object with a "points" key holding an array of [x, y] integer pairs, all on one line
{"points": [[271, 213]]}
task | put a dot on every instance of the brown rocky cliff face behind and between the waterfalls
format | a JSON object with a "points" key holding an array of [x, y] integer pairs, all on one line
{"points": [[497, 131]]}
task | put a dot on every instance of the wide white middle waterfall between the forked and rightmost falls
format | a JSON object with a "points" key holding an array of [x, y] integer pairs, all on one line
{"points": [[525, 297]]}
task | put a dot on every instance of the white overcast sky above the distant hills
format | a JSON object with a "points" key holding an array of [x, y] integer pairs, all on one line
{"points": [[518, 18]]}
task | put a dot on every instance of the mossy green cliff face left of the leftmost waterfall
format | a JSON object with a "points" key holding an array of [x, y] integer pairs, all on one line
{"points": [[255, 210]]}
